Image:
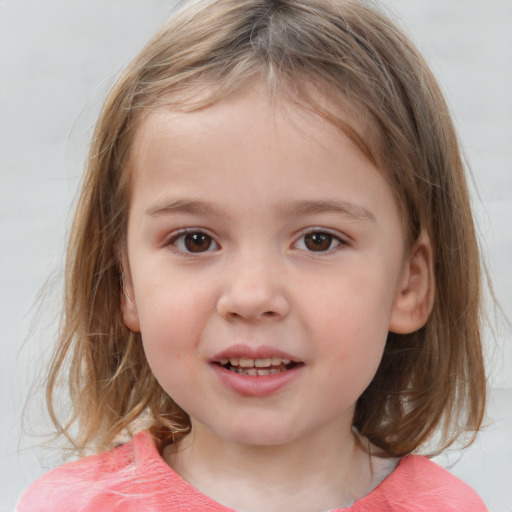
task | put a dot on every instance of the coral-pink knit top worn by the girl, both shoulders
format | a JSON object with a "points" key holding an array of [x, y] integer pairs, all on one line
{"points": [[135, 478]]}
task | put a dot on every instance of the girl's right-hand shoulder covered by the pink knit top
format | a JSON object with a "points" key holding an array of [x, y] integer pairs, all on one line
{"points": [[419, 484]]}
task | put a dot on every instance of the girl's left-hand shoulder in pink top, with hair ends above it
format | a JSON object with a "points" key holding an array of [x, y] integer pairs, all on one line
{"points": [[130, 478]]}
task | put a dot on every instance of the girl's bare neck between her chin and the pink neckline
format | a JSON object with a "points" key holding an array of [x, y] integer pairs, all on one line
{"points": [[318, 472]]}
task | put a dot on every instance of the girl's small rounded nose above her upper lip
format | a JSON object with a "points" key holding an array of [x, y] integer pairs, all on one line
{"points": [[253, 290]]}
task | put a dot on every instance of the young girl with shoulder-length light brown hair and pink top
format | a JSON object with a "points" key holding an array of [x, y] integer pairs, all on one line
{"points": [[273, 280]]}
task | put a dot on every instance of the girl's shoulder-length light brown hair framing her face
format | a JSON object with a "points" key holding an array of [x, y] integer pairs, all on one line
{"points": [[430, 380]]}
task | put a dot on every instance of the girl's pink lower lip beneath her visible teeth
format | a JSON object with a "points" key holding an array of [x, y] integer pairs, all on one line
{"points": [[257, 385]]}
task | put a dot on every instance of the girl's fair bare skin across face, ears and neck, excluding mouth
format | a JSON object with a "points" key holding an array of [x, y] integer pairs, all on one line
{"points": [[258, 182]]}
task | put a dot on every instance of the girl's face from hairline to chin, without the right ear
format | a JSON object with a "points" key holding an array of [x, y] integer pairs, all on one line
{"points": [[260, 233]]}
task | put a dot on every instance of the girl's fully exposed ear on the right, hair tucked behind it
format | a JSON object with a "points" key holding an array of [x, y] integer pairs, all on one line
{"points": [[414, 297]]}
